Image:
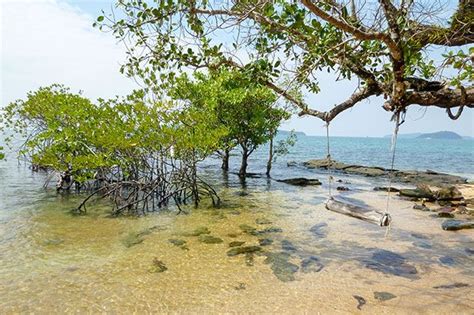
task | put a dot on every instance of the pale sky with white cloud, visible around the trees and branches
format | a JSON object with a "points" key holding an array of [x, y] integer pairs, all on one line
{"points": [[52, 41]]}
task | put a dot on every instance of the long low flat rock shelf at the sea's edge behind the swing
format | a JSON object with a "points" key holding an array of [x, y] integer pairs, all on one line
{"points": [[428, 177]]}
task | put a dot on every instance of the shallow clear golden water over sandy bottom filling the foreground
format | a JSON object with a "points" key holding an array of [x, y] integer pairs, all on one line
{"points": [[53, 262]]}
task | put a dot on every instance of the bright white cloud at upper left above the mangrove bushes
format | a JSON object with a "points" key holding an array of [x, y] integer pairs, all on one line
{"points": [[45, 42]]}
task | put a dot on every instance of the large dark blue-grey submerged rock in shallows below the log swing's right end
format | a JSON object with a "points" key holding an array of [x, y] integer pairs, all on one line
{"points": [[391, 263]]}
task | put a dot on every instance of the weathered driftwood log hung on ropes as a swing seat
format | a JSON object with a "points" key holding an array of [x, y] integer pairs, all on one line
{"points": [[365, 213]]}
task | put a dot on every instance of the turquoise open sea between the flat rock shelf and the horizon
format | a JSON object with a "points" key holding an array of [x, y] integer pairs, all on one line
{"points": [[450, 156]]}
